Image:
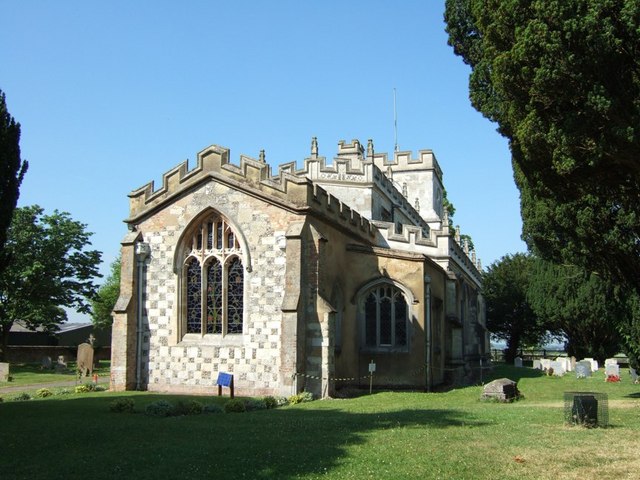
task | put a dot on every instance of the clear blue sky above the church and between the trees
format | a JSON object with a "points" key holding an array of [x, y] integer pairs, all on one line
{"points": [[112, 94]]}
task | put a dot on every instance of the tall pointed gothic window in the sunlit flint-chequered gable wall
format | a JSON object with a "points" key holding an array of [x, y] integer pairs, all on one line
{"points": [[213, 279]]}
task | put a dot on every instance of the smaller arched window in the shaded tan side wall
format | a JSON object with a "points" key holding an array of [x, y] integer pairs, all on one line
{"points": [[386, 318]]}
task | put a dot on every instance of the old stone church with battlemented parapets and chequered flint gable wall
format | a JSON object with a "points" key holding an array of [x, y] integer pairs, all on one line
{"points": [[297, 280]]}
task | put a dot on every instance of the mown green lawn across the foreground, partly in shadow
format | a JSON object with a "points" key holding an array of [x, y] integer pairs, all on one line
{"points": [[387, 435]]}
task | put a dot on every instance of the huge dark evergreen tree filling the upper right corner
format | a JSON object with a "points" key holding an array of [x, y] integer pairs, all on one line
{"points": [[561, 78]]}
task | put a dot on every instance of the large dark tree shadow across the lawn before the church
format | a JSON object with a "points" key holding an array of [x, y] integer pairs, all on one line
{"points": [[283, 443]]}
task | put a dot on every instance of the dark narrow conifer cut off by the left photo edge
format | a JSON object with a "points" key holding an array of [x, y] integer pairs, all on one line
{"points": [[12, 171]]}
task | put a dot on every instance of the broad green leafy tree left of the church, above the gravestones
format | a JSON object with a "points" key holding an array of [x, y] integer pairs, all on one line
{"points": [[50, 268]]}
